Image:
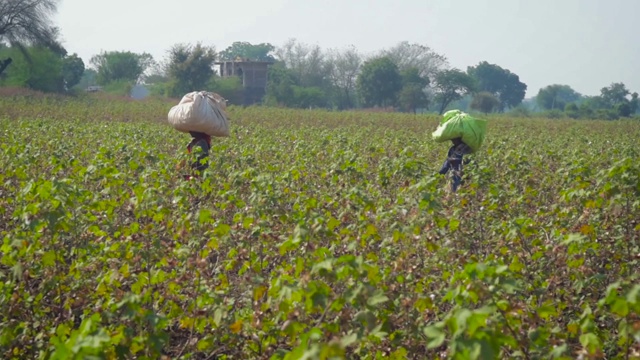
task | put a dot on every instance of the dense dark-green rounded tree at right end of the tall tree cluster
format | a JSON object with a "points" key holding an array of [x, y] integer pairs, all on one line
{"points": [[502, 83]]}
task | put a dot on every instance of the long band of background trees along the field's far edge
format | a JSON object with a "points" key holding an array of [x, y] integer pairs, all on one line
{"points": [[406, 77]]}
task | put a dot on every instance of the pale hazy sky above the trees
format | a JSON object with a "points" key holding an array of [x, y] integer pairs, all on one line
{"points": [[586, 44]]}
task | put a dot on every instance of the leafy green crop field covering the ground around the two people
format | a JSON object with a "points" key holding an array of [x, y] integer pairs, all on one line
{"points": [[313, 234]]}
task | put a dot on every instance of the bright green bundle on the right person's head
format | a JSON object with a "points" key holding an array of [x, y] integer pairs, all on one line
{"points": [[457, 124]]}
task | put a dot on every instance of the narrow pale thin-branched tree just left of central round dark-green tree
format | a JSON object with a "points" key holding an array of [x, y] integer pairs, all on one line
{"points": [[343, 74]]}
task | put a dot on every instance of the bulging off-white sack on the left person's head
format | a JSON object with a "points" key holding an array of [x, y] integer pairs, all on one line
{"points": [[200, 111]]}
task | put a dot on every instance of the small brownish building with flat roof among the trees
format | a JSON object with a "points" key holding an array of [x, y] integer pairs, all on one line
{"points": [[253, 75]]}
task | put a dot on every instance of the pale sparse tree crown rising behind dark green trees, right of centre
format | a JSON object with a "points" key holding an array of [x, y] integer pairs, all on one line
{"points": [[406, 55]]}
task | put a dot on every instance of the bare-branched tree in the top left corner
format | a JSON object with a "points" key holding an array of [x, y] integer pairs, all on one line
{"points": [[28, 22]]}
